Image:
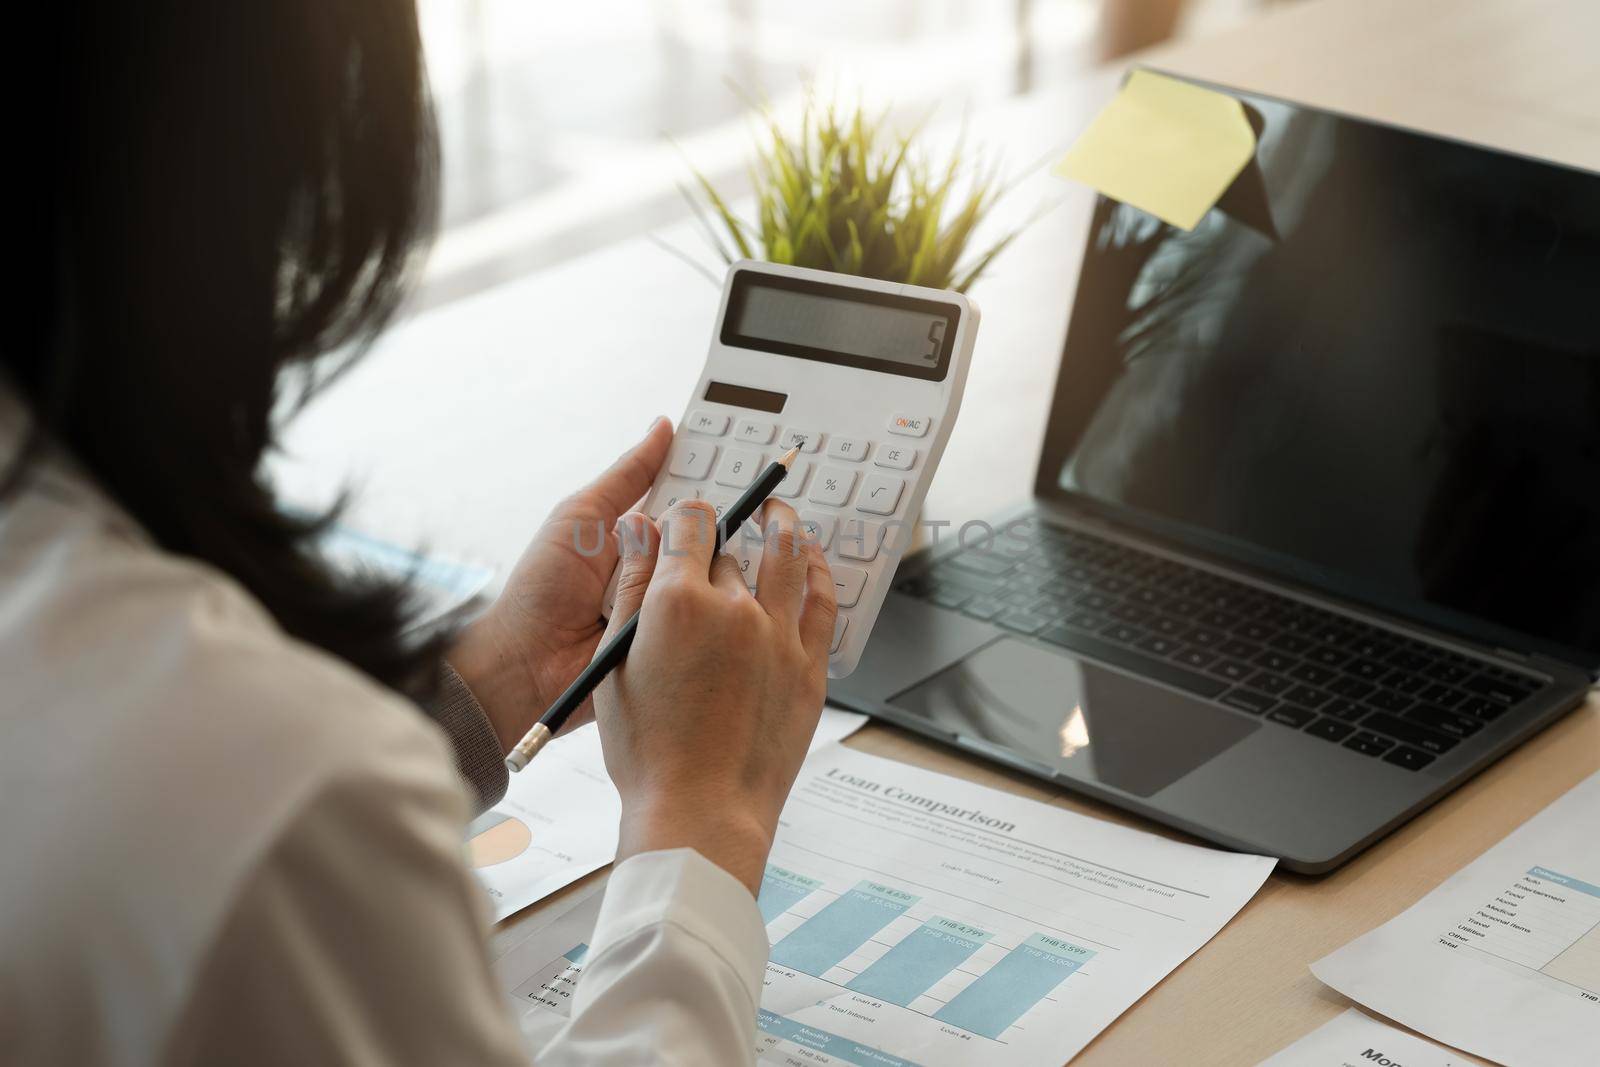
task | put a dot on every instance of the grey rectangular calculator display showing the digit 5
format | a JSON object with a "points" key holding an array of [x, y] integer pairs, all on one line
{"points": [[839, 324]]}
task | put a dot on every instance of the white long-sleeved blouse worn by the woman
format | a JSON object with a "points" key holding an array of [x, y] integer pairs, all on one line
{"points": [[222, 845]]}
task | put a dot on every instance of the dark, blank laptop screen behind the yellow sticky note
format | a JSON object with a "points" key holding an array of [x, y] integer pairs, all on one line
{"points": [[1375, 367]]}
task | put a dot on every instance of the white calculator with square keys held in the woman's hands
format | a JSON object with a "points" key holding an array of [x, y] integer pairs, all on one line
{"points": [[866, 378]]}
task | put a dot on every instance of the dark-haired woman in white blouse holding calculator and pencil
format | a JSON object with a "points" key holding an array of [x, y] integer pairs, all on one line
{"points": [[230, 836]]}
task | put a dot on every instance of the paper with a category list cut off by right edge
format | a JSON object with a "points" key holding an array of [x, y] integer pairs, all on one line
{"points": [[1503, 959]]}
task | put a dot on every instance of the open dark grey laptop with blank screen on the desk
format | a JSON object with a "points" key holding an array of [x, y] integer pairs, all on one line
{"points": [[1316, 527]]}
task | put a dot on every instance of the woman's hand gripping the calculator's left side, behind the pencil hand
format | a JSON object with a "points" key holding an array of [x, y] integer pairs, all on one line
{"points": [[546, 625]]}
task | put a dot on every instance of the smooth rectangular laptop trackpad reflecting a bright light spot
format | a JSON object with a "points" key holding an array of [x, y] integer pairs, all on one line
{"points": [[1081, 719]]}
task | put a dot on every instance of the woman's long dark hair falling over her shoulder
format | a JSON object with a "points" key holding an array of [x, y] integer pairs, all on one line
{"points": [[226, 190]]}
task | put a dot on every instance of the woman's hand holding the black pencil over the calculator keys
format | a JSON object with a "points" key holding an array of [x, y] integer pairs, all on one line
{"points": [[706, 724]]}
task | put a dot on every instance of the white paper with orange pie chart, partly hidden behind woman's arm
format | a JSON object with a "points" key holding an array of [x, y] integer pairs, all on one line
{"points": [[558, 821]]}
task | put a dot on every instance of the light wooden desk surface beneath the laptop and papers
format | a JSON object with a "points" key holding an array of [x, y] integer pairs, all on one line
{"points": [[482, 402]]}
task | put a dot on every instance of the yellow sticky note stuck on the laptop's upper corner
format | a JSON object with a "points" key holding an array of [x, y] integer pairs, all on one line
{"points": [[1164, 146]]}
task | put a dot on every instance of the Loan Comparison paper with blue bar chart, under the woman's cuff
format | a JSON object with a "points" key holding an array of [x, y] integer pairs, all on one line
{"points": [[918, 919]]}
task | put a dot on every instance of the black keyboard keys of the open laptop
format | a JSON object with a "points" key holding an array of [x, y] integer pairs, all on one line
{"points": [[1364, 687]]}
